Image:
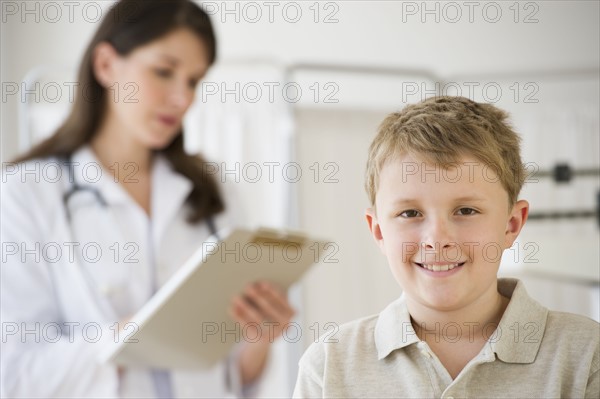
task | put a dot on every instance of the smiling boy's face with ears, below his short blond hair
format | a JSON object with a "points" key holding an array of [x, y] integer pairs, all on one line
{"points": [[455, 221]]}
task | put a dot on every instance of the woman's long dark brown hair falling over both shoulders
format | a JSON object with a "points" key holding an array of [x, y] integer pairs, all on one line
{"points": [[128, 25]]}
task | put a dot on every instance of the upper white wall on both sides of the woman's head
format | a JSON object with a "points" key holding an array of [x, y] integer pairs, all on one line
{"points": [[387, 33]]}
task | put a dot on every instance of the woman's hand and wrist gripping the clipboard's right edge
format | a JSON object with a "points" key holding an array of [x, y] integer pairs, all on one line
{"points": [[269, 310]]}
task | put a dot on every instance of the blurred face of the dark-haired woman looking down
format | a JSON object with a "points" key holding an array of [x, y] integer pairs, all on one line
{"points": [[150, 89]]}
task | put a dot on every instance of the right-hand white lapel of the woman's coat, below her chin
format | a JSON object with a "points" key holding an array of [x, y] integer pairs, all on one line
{"points": [[169, 192]]}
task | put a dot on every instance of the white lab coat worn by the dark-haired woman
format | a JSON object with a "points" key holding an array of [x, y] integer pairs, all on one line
{"points": [[58, 311]]}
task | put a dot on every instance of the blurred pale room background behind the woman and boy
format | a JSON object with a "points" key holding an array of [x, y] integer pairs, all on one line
{"points": [[296, 97]]}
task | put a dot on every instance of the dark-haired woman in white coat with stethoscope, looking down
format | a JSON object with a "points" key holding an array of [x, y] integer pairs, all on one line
{"points": [[96, 218]]}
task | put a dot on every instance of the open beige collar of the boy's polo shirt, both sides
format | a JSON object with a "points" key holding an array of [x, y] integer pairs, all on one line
{"points": [[516, 340]]}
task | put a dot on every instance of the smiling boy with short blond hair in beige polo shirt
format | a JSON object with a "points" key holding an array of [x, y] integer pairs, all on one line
{"points": [[443, 178]]}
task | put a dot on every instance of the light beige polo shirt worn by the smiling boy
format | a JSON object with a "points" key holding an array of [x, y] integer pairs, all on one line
{"points": [[534, 353]]}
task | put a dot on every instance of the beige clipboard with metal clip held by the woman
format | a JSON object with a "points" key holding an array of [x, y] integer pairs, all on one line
{"points": [[185, 325]]}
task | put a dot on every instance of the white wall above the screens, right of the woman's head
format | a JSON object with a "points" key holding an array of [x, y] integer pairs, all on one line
{"points": [[385, 33]]}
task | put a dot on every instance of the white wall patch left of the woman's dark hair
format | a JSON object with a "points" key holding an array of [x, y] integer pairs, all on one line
{"points": [[39, 38]]}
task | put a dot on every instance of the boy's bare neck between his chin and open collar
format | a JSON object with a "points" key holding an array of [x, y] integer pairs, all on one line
{"points": [[477, 321]]}
